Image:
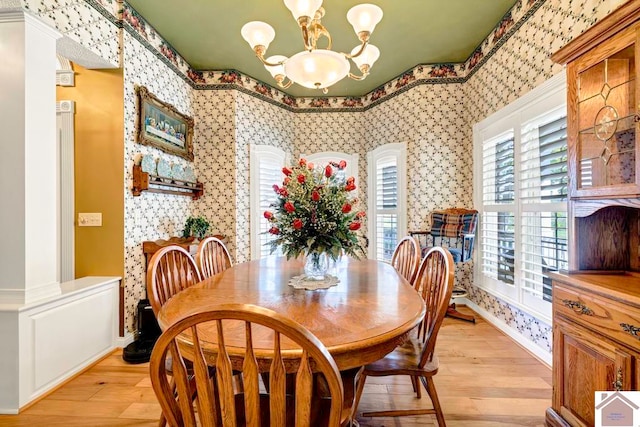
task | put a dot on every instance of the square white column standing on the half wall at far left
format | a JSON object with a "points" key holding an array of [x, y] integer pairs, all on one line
{"points": [[29, 217]]}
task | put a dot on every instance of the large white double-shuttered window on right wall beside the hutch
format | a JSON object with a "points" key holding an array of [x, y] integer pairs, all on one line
{"points": [[521, 161]]}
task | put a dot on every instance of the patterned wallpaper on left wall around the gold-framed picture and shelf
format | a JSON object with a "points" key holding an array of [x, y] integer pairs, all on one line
{"points": [[149, 216]]}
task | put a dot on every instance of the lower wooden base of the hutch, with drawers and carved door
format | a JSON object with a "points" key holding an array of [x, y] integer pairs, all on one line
{"points": [[596, 346]]}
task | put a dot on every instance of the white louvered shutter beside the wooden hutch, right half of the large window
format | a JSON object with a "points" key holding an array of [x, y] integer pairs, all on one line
{"points": [[543, 194]]}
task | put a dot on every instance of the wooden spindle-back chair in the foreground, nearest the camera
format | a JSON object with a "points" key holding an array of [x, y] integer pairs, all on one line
{"points": [[215, 402]]}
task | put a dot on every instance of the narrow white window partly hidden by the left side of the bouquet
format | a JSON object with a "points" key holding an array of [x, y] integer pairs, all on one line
{"points": [[266, 165]]}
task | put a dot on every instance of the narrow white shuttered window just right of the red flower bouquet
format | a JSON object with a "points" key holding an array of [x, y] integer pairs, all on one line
{"points": [[387, 200]]}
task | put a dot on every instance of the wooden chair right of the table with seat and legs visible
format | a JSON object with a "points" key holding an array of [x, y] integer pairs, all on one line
{"points": [[416, 357]]}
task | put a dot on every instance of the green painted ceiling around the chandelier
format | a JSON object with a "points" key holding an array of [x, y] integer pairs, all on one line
{"points": [[207, 34]]}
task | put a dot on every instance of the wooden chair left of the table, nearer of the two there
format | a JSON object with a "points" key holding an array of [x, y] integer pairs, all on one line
{"points": [[170, 270]]}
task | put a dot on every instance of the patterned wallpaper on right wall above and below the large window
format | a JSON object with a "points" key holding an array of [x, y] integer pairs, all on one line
{"points": [[522, 63]]}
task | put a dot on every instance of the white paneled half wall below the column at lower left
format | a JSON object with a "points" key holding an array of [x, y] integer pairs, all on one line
{"points": [[53, 339]]}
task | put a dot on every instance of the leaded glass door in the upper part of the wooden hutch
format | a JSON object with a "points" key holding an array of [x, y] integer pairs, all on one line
{"points": [[607, 122]]}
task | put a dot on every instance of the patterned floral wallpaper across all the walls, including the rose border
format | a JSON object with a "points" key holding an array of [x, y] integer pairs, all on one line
{"points": [[431, 108]]}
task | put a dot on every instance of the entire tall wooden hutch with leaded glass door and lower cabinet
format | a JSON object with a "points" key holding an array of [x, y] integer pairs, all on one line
{"points": [[596, 306]]}
